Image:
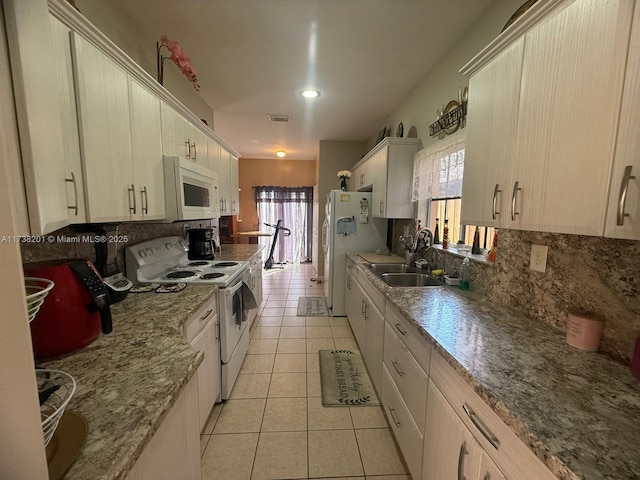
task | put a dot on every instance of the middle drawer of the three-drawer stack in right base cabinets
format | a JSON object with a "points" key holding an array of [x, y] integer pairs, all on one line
{"points": [[409, 378]]}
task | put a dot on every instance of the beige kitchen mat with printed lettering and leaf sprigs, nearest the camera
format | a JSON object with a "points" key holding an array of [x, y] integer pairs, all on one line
{"points": [[344, 380]]}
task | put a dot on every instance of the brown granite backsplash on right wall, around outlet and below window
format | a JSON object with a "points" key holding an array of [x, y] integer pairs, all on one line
{"points": [[588, 274]]}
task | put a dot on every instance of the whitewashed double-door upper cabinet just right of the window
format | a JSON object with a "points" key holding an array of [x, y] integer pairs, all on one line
{"points": [[563, 113]]}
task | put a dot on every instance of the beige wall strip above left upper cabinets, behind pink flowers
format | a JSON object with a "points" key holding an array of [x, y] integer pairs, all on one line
{"points": [[125, 32]]}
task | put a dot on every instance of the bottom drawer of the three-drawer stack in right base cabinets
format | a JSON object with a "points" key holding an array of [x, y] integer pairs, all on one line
{"points": [[404, 428]]}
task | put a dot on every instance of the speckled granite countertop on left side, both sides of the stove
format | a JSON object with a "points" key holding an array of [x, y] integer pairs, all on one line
{"points": [[128, 381]]}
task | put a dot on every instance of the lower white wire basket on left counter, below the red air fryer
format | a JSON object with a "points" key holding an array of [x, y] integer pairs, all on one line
{"points": [[53, 407]]}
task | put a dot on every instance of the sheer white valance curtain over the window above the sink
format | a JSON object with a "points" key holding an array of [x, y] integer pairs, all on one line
{"points": [[438, 169]]}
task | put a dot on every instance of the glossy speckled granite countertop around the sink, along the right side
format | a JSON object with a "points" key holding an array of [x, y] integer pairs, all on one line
{"points": [[579, 412]]}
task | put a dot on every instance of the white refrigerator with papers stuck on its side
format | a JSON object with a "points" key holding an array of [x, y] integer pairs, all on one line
{"points": [[348, 227]]}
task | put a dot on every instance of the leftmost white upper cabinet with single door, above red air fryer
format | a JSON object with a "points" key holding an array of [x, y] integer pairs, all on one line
{"points": [[45, 109]]}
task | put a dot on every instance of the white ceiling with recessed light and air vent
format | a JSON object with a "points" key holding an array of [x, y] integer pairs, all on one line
{"points": [[254, 56]]}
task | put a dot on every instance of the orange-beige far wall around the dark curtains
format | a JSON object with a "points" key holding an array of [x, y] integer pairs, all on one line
{"points": [[282, 173]]}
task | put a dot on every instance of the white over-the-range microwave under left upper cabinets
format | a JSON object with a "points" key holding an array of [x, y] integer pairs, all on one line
{"points": [[190, 190]]}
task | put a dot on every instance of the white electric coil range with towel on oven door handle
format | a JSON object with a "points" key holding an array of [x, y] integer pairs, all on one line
{"points": [[165, 260]]}
